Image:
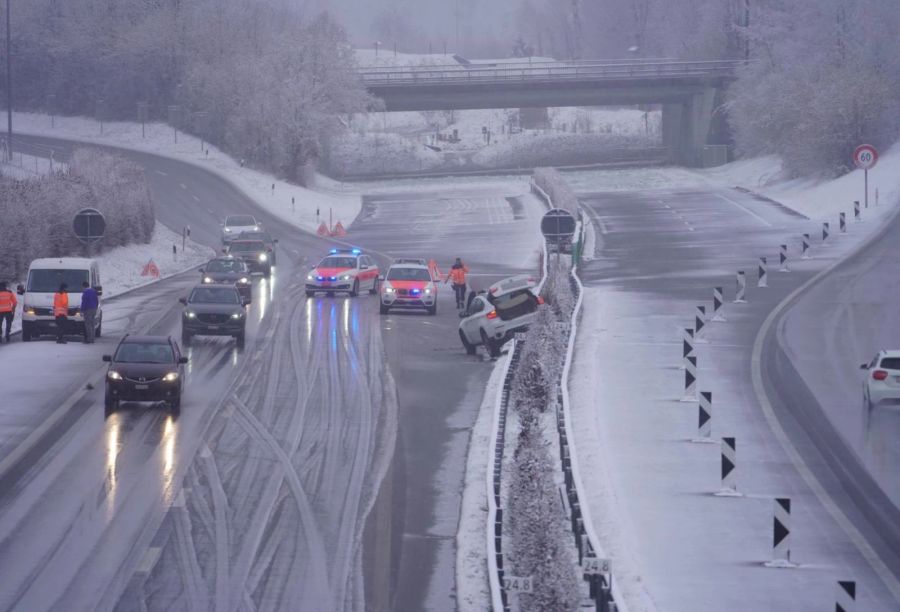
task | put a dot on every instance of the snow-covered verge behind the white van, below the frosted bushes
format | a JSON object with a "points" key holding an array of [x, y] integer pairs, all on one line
{"points": [[121, 267]]}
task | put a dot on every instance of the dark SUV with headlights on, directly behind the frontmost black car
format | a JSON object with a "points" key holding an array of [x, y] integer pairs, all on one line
{"points": [[213, 310]]}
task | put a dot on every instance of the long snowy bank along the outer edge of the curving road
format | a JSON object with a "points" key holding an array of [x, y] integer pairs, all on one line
{"points": [[269, 192]]}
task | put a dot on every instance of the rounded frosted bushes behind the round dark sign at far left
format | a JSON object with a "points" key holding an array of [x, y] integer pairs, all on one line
{"points": [[37, 213]]}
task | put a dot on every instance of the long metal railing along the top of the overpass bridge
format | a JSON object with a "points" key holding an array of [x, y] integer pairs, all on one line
{"points": [[591, 71]]}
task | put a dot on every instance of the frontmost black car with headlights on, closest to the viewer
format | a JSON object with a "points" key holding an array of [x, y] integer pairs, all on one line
{"points": [[145, 369]]}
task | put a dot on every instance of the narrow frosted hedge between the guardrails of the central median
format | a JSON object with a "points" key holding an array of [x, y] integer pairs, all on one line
{"points": [[536, 524]]}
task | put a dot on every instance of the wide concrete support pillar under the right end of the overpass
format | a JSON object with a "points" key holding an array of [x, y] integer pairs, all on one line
{"points": [[686, 126]]}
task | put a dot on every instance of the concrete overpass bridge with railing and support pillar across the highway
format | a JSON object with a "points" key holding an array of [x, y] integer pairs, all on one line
{"points": [[687, 91]]}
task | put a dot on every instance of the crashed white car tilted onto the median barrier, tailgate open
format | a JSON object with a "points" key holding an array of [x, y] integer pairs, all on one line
{"points": [[492, 317]]}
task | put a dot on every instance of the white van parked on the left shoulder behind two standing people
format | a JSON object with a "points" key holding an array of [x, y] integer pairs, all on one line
{"points": [[44, 278]]}
